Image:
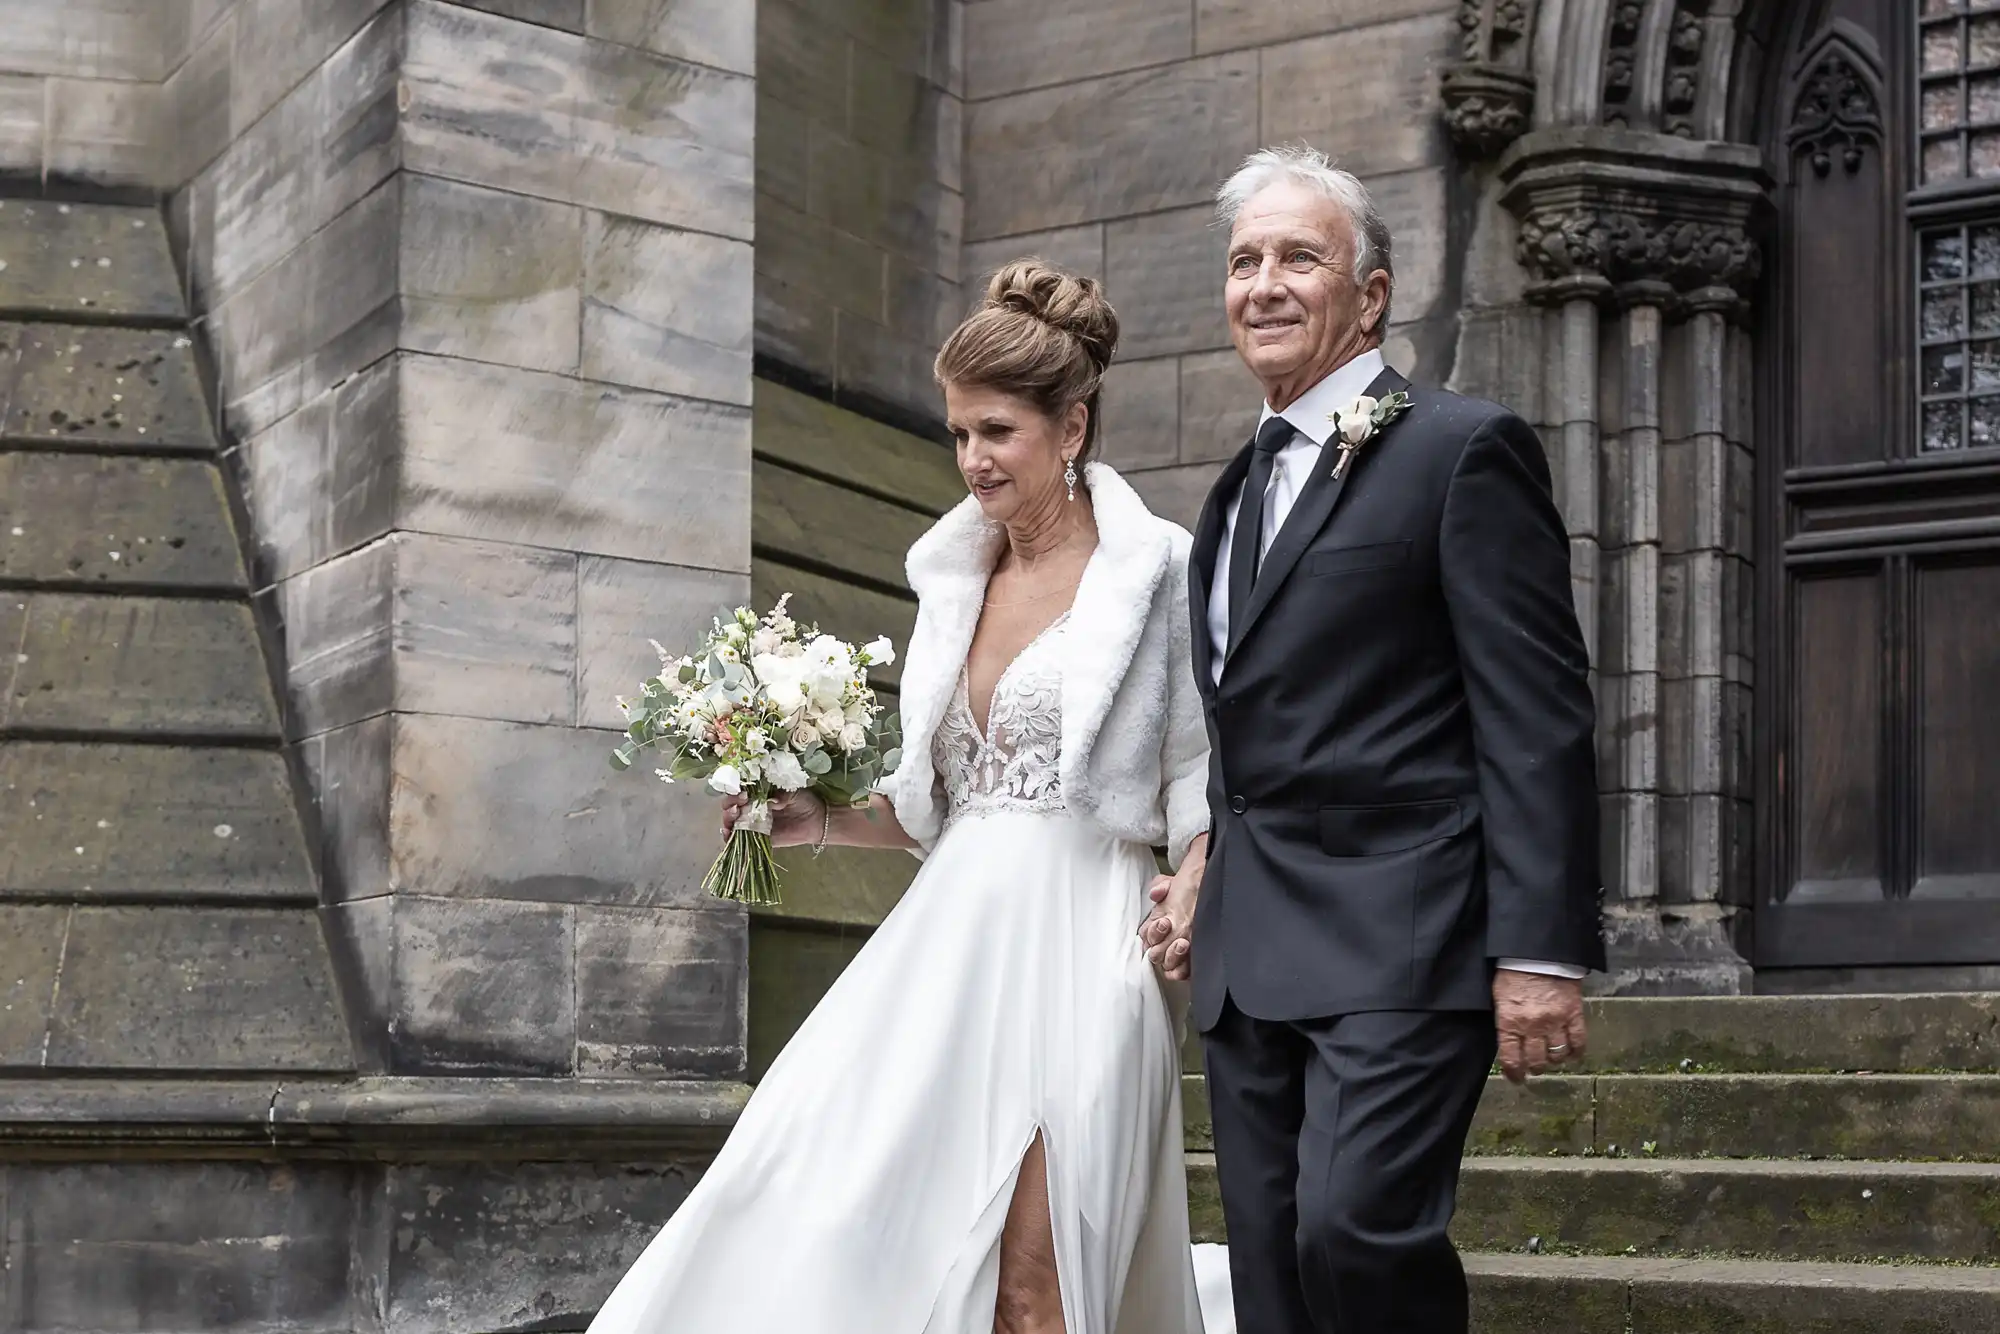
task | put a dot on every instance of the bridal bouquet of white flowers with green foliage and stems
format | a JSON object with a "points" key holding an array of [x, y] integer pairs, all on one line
{"points": [[765, 707]]}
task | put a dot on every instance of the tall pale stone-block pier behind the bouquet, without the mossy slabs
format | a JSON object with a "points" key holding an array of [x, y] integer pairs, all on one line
{"points": [[479, 293]]}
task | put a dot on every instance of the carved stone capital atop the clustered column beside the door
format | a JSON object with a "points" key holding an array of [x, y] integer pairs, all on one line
{"points": [[1641, 213]]}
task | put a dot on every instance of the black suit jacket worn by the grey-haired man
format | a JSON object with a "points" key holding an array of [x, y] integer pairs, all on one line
{"points": [[1403, 773]]}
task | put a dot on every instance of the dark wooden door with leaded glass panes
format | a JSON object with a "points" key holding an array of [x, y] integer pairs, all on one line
{"points": [[1881, 505]]}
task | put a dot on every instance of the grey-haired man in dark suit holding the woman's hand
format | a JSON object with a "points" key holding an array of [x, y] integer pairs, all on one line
{"points": [[1405, 867]]}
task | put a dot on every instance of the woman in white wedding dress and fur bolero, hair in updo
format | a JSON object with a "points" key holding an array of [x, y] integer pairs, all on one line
{"points": [[979, 1127]]}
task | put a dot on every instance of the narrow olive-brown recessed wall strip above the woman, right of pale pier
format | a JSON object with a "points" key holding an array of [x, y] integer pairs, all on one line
{"points": [[859, 205]]}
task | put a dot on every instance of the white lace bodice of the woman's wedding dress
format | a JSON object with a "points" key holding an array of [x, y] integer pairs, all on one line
{"points": [[1017, 765]]}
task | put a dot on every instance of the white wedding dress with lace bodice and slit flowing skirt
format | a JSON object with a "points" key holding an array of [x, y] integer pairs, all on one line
{"points": [[867, 1185]]}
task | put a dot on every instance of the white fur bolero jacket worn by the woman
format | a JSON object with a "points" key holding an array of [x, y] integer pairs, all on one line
{"points": [[1135, 747]]}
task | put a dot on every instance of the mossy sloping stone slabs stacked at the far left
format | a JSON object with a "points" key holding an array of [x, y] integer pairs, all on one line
{"points": [[157, 883]]}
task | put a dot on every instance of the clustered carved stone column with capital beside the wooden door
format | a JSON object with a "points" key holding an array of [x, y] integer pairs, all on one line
{"points": [[1653, 237]]}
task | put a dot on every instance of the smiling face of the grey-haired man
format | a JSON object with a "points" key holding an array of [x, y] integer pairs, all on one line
{"points": [[1293, 303]]}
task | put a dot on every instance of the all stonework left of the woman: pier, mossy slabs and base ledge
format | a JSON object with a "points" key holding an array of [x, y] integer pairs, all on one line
{"points": [[361, 989]]}
